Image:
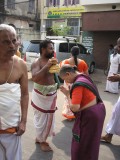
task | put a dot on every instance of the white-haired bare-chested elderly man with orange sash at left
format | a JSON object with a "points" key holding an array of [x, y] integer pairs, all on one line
{"points": [[13, 95]]}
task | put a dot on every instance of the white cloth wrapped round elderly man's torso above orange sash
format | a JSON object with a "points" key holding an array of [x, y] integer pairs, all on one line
{"points": [[10, 110]]}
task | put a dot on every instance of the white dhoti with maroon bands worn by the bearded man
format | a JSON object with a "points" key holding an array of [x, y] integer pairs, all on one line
{"points": [[44, 108]]}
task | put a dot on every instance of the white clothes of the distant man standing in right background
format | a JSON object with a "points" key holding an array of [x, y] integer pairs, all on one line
{"points": [[115, 61]]}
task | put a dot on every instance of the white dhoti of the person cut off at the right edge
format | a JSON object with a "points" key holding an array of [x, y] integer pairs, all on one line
{"points": [[113, 126]]}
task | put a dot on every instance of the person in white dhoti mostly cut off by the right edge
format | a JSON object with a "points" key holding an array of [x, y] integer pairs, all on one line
{"points": [[113, 126]]}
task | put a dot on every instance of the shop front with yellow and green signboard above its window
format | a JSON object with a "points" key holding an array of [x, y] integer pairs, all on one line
{"points": [[65, 17]]}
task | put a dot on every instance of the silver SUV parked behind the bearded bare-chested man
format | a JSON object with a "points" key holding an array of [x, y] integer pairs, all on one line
{"points": [[62, 47]]}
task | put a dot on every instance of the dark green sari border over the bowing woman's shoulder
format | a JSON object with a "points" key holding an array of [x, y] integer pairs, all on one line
{"points": [[91, 87]]}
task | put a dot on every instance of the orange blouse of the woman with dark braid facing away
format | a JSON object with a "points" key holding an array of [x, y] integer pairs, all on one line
{"points": [[82, 66]]}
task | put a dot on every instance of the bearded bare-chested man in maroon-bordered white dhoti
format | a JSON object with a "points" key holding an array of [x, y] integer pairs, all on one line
{"points": [[44, 94]]}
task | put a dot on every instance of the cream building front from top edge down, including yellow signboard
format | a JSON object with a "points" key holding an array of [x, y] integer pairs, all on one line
{"points": [[62, 13]]}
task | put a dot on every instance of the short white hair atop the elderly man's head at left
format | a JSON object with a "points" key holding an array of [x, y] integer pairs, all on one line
{"points": [[6, 27]]}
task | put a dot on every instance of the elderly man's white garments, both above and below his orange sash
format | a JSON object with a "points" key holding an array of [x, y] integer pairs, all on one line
{"points": [[10, 111]]}
